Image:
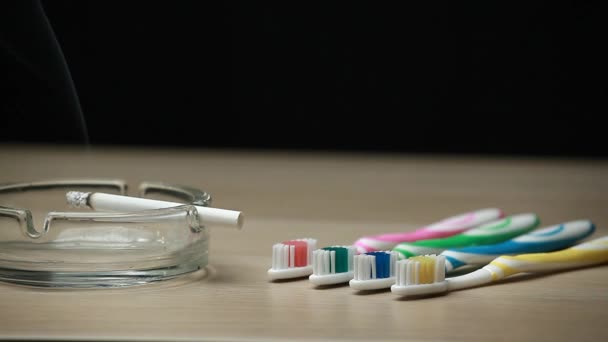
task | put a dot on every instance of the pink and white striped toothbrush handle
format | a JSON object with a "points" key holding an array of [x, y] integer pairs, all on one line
{"points": [[443, 228]]}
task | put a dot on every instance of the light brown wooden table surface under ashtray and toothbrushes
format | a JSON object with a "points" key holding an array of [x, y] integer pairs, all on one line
{"points": [[336, 199]]}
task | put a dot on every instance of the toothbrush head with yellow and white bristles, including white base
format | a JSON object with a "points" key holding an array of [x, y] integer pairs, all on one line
{"points": [[420, 275]]}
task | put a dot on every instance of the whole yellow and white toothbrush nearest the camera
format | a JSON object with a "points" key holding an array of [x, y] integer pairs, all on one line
{"points": [[426, 275]]}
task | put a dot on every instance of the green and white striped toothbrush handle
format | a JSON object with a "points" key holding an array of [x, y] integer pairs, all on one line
{"points": [[489, 233]]}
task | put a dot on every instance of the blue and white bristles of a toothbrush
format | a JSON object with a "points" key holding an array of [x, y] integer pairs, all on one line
{"points": [[374, 265]]}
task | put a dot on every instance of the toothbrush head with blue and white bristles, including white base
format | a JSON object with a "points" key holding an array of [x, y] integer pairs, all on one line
{"points": [[374, 270]]}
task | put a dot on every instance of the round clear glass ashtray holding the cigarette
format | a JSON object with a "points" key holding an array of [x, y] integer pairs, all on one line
{"points": [[83, 248]]}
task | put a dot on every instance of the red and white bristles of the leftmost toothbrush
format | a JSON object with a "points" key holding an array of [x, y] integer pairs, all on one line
{"points": [[292, 253]]}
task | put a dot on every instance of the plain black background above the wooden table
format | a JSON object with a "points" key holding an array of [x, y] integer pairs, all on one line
{"points": [[483, 78]]}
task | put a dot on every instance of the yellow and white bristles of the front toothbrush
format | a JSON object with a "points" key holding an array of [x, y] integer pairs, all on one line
{"points": [[426, 269]]}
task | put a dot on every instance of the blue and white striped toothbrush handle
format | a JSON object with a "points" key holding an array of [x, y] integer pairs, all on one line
{"points": [[544, 240]]}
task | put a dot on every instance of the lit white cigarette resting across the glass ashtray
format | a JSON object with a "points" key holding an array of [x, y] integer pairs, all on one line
{"points": [[109, 202]]}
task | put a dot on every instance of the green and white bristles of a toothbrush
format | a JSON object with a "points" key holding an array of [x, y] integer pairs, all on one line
{"points": [[332, 260]]}
